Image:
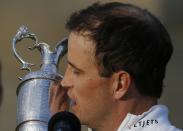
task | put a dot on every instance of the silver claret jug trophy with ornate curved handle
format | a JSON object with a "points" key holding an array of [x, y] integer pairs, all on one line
{"points": [[33, 111]]}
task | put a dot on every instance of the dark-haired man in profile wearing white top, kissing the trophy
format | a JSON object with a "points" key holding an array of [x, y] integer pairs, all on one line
{"points": [[117, 57]]}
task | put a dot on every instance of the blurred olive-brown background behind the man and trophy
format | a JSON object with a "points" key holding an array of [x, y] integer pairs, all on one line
{"points": [[47, 20]]}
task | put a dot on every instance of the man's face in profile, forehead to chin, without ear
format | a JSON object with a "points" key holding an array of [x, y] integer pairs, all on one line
{"points": [[91, 94]]}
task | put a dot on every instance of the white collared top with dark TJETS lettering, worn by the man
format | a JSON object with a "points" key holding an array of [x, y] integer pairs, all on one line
{"points": [[155, 119]]}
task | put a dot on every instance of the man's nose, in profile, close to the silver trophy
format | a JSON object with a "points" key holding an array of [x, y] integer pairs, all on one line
{"points": [[66, 82]]}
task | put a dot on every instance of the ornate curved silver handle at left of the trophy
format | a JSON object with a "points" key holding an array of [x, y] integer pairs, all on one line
{"points": [[23, 32]]}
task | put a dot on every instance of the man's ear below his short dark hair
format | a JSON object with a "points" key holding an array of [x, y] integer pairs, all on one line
{"points": [[123, 83]]}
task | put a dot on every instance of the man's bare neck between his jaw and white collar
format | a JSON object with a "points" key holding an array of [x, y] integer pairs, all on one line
{"points": [[134, 106]]}
